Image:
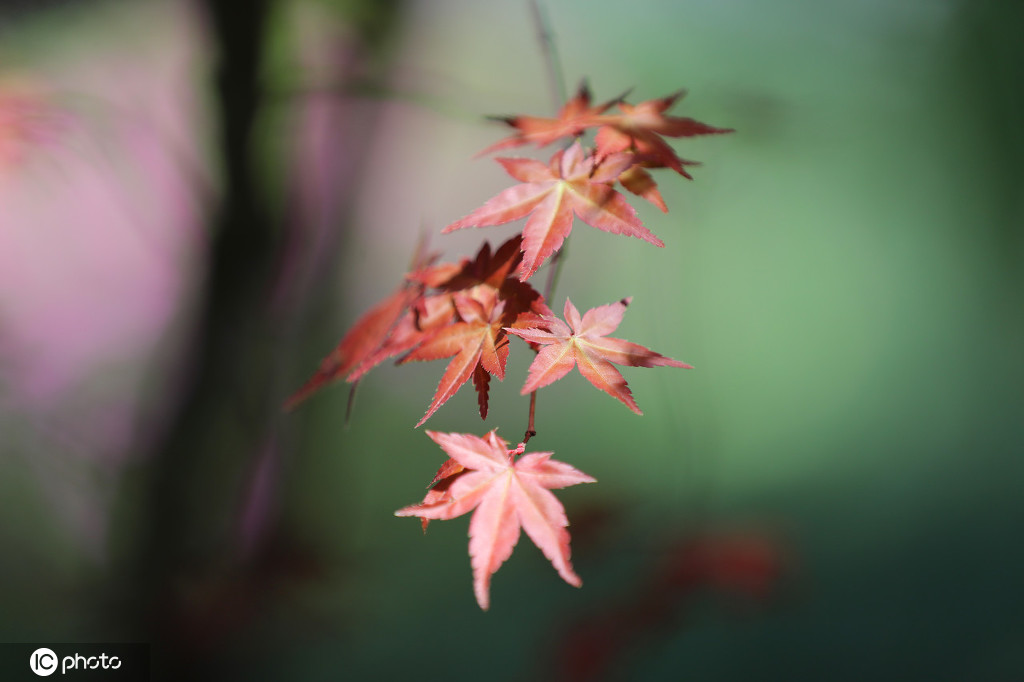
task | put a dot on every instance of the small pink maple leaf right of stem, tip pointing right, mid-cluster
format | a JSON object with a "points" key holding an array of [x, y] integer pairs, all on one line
{"points": [[584, 344]]}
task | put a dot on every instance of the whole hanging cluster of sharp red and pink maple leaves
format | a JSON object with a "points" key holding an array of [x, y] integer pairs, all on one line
{"points": [[467, 311]]}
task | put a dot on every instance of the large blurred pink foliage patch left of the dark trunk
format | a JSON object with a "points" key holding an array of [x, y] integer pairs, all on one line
{"points": [[103, 189]]}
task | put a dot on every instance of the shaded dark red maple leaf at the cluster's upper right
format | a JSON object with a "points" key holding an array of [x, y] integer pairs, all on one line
{"points": [[639, 129]]}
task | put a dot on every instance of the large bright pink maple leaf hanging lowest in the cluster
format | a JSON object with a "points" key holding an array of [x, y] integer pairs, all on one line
{"points": [[508, 495]]}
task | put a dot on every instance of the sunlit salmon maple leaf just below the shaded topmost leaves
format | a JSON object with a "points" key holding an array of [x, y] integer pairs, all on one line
{"points": [[551, 194]]}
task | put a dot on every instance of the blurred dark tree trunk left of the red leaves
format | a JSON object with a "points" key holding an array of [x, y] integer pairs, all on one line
{"points": [[224, 415]]}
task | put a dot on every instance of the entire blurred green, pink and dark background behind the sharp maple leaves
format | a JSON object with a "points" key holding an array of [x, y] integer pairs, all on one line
{"points": [[198, 198]]}
